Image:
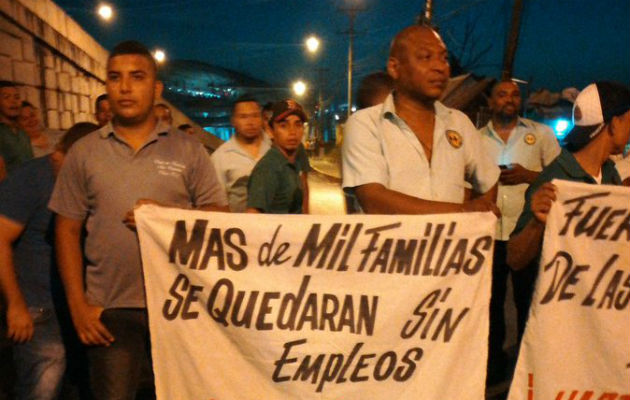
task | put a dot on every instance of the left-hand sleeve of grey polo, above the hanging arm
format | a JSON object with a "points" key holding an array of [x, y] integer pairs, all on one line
{"points": [[70, 195]]}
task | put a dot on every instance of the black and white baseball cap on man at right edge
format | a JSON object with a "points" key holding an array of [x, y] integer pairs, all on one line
{"points": [[594, 107]]}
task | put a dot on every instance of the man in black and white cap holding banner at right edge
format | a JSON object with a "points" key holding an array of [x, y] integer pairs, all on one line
{"points": [[601, 116]]}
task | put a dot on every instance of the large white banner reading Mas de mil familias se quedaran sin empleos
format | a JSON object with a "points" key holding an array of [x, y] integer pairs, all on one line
{"points": [[246, 306]]}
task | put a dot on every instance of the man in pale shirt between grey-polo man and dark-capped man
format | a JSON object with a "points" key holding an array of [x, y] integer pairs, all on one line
{"points": [[235, 159]]}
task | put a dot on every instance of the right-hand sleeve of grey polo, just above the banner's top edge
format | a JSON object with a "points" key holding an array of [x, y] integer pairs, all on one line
{"points": [[203, 183]]}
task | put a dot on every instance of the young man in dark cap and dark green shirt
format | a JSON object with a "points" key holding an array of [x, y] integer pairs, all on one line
{"points": [[277, 184]]}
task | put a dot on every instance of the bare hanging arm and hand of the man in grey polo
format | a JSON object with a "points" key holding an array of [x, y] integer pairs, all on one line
{"points": [[85, 316]]}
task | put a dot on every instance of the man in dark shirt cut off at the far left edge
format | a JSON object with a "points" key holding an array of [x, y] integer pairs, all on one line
{"points": [[15, 147]]}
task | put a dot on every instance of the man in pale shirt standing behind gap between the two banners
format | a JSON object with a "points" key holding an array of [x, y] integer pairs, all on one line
{"points": [[521, 148]]}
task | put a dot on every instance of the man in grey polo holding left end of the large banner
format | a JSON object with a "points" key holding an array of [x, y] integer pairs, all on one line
{"points": [[104, 176]]}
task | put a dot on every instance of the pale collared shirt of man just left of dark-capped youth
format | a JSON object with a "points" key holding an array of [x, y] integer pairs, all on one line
{"points": [[234, 165]]}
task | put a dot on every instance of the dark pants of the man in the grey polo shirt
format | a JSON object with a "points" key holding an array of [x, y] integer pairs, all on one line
{"points": [[115, 371]]}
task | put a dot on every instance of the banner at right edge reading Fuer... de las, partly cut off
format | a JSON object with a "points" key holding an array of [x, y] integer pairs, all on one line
{"points": [[576, 344]]}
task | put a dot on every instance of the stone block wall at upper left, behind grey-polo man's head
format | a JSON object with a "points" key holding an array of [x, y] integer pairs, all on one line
{"points": [[59, 67]]}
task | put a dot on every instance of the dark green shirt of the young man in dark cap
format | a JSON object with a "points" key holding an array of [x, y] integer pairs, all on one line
{"points": [[275, 186]]}
